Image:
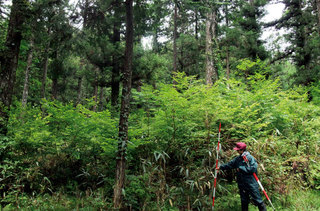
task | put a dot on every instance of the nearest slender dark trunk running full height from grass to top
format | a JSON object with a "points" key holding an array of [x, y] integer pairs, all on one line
{"points": [[125, 106]]}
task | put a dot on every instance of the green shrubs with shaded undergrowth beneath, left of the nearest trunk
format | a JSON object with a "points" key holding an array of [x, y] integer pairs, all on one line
{"points": [[58, 147]]}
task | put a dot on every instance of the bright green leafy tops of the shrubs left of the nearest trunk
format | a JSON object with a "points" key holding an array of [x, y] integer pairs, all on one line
{"points": [[62, 127]]}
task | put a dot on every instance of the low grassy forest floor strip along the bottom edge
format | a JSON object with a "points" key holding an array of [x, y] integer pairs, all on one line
{"points": [[296, 201]]}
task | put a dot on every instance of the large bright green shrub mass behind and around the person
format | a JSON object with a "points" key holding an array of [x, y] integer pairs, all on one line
{"points": [[276, 124]]}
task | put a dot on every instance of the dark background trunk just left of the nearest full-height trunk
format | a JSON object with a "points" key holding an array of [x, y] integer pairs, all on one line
{"points": [[115, 78]]}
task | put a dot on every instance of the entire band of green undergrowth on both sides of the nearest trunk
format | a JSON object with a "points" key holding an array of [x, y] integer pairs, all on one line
{"points": [[60, 157]]}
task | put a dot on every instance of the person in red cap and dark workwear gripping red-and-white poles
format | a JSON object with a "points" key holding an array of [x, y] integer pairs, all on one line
{"points": [[247, 184]]}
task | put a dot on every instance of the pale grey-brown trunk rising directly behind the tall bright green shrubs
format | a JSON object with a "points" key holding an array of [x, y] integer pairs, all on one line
{"points": [[210, 36]]}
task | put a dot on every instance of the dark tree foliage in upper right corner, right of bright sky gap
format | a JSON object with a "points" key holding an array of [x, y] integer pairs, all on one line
{"points": [[299, 22]]}
